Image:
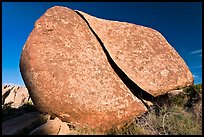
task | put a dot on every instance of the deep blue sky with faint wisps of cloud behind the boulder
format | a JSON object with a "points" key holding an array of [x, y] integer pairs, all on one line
{"points": [[179, 23]]}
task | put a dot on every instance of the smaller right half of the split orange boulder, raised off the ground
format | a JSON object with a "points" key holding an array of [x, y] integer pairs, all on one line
{"points": [[143, 54]]}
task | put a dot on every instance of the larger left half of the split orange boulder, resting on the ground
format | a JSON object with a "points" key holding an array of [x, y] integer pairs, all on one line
{"points": [[68, 75]]}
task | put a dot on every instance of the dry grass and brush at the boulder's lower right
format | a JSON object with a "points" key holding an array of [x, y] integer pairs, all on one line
{"points": [[183, 116]]}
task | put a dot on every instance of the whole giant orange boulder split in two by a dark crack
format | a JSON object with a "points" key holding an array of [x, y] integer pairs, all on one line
{"points": [[70, 74]]}
